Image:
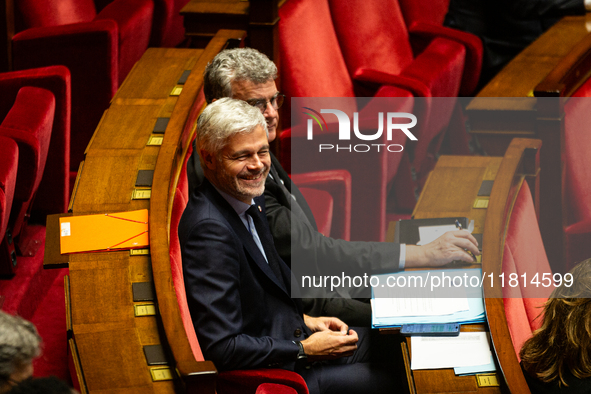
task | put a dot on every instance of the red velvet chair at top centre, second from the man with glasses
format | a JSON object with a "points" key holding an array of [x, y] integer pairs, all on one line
{"points": [[378, 49]]}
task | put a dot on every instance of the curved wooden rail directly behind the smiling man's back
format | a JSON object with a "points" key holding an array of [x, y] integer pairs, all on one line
{"points": [[197, 376]]}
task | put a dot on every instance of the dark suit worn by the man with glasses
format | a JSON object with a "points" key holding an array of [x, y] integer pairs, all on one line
{"points": [[292, 224]]}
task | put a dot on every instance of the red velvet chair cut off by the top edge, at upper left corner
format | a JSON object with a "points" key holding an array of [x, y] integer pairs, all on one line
{"points": [[98, 49]]}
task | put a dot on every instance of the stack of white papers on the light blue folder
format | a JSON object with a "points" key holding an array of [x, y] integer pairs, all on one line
{"points": [[396, 305]]}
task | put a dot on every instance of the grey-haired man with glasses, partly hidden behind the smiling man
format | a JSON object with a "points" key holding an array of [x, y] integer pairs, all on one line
{"points": [[248, 75]]}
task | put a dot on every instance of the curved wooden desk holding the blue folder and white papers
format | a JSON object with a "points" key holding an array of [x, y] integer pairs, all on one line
{"points": [[439, 199]]}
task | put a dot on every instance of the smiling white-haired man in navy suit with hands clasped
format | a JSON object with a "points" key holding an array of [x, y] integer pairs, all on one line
{"points": [[237, 284]]}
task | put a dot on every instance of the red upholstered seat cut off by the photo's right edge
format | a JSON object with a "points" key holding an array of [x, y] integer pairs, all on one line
{"points": [[576, 190]]}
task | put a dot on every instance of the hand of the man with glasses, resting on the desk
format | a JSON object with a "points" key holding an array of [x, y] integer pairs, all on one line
{"points": [[453, 245]]}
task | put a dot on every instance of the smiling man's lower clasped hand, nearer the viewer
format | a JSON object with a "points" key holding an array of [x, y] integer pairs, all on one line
{"points": [[328, 345]]}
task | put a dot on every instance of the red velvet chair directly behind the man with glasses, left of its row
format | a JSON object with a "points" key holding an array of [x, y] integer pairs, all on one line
{"points": [[312, 65]]}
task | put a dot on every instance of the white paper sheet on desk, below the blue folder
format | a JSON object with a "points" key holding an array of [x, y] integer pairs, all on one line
{"points": [[467, 349]]}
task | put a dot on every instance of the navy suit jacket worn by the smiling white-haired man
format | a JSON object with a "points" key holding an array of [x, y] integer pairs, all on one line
{"points": [[244, 317]]}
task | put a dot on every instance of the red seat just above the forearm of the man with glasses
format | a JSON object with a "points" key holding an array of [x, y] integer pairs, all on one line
{"points": [[328, 194]]}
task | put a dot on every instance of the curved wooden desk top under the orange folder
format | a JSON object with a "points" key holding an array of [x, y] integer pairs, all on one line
{"points": [[107, 336]]}
